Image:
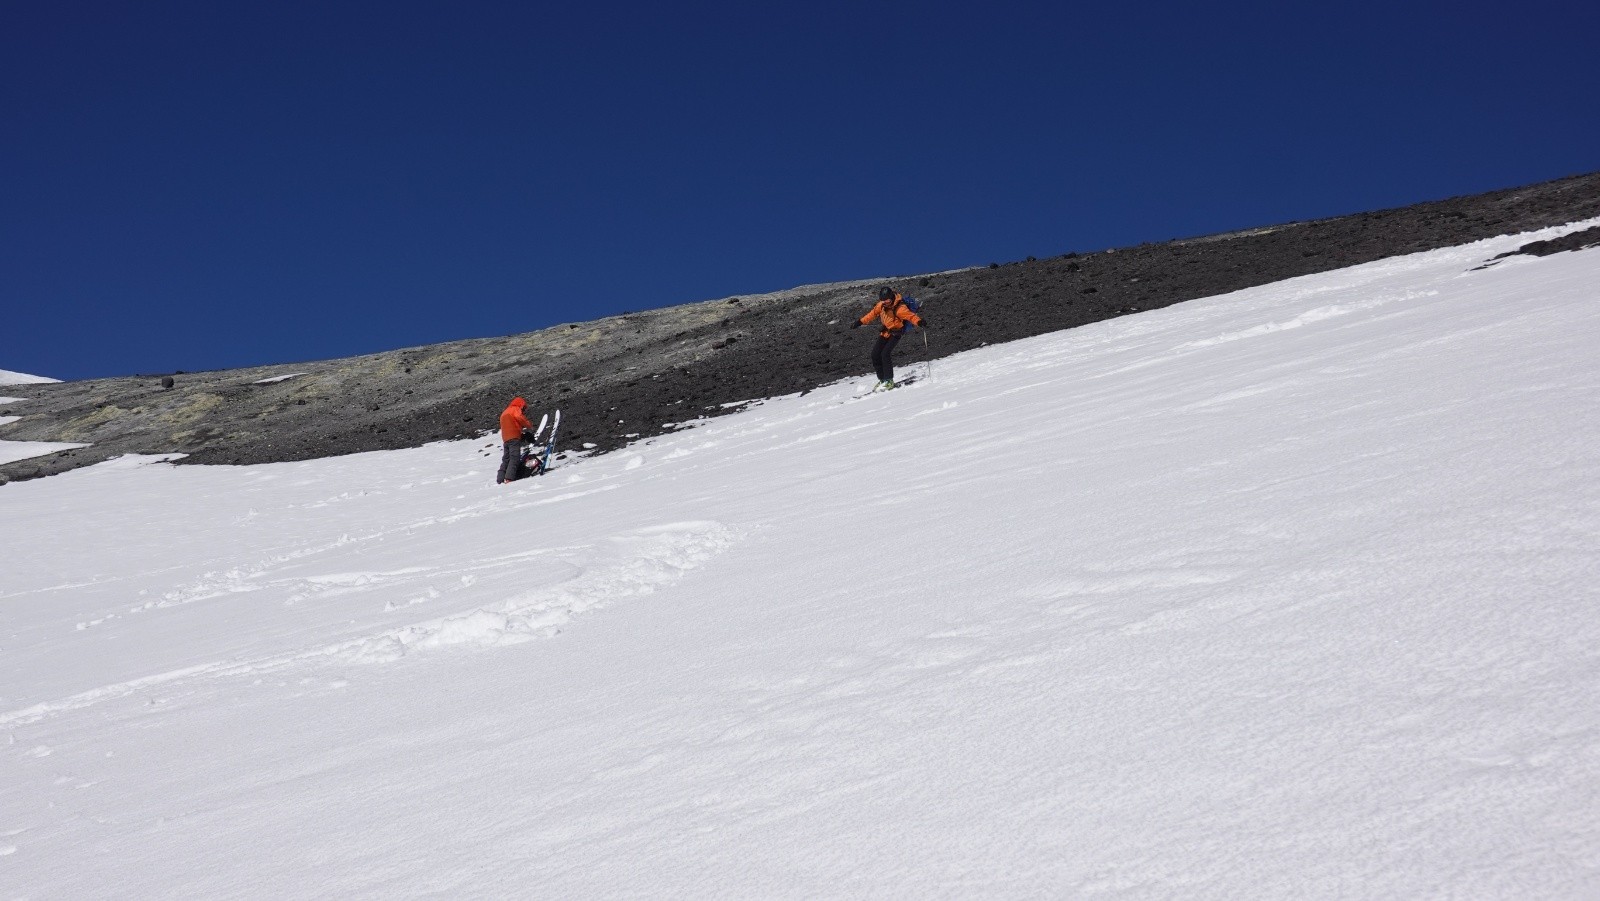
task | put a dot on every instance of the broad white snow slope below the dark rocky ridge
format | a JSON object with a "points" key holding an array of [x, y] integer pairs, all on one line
{"points": [[1282, 595]]}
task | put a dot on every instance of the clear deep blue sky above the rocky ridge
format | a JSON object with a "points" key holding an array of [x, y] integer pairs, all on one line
{"points": [[207, 185]]}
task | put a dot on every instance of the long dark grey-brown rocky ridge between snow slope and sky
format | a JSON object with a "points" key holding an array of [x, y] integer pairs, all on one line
{"points": [[634, 375]]}
